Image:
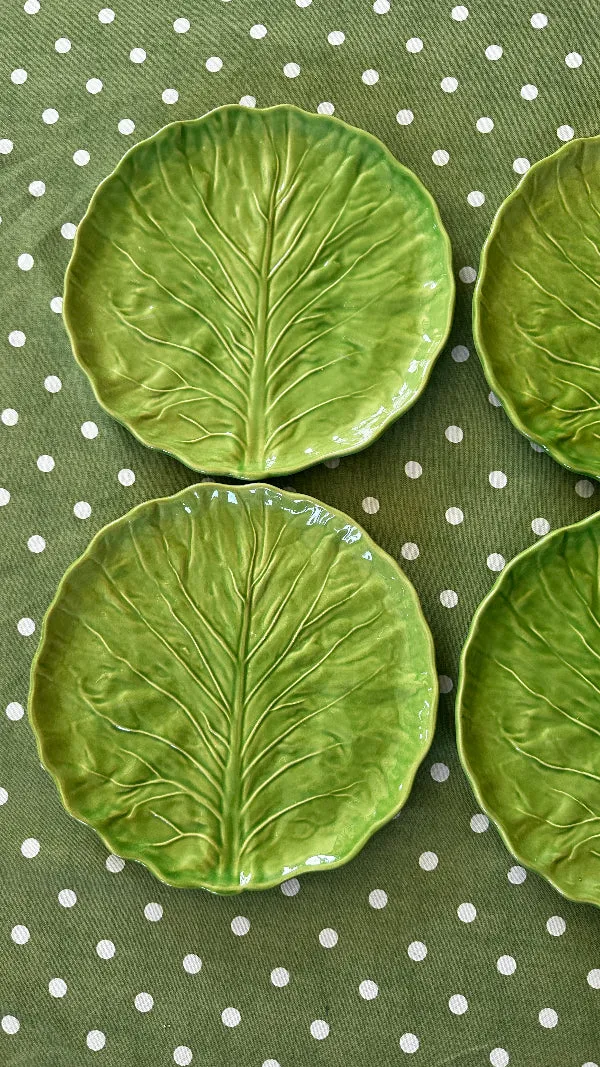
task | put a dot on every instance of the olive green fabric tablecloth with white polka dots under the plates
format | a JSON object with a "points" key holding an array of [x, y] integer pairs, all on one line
{"points": [[433, 947]]}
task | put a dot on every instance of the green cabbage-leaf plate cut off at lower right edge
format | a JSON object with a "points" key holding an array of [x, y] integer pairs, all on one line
{"points": [[529, 708]]}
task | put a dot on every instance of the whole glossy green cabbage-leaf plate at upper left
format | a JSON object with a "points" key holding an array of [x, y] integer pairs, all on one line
{"points": [[255, 291]]}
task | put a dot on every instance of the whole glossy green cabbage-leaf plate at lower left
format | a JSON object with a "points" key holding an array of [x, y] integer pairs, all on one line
{"points": [[233, 686]]}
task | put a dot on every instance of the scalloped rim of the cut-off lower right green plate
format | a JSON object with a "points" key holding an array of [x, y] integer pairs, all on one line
{"points": [[498, 822]]}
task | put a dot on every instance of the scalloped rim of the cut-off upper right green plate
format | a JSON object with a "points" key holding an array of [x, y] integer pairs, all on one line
{"points": [[556, 452]]}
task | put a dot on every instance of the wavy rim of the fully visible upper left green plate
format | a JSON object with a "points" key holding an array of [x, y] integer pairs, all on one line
{"points": [[223, 471]]}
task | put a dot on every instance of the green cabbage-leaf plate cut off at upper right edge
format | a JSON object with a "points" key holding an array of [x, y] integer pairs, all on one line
{"points": [[536, 318]]}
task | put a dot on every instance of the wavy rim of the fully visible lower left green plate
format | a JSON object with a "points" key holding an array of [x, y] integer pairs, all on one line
{"points": [[371, 827]]}
